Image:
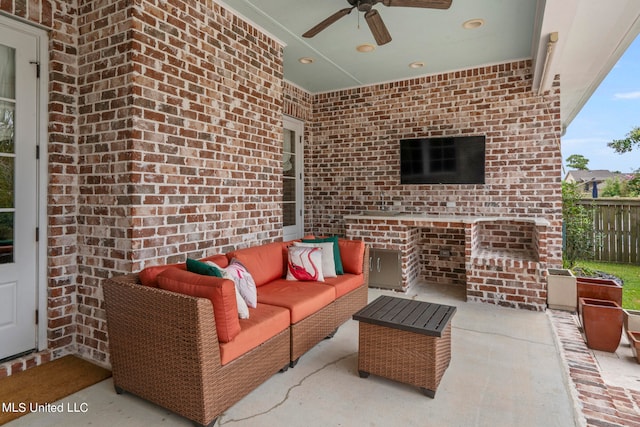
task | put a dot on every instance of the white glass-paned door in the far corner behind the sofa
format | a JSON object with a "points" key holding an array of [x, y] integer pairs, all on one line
{"points": [[293, 180]]}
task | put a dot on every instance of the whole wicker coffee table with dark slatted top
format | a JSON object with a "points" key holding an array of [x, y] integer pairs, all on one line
{"points": [[405, 340]]}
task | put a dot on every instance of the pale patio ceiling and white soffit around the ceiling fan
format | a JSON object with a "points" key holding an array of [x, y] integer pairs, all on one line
{"points": [[592, 36]]}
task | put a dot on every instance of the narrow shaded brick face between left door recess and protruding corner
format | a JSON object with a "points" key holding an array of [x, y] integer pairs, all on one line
{"points": [[104, 127]]}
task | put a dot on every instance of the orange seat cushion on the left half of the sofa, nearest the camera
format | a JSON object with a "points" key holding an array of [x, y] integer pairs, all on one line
{"points": [[264, 322]]}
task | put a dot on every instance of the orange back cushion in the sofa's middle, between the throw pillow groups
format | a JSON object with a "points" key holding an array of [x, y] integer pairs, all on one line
{"points": [[263, 262]]}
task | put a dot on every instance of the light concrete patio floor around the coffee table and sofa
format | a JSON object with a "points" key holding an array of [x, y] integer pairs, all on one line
{"points": [[506, 370]]}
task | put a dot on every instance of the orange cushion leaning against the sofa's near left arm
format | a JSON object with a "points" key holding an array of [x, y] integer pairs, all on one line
{"points": [[221, 293]]}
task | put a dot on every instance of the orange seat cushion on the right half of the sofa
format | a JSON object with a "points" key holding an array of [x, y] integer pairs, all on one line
{"points": [[302, 299]]}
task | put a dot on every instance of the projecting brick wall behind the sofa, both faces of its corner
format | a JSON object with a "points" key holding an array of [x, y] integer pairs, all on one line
{"points": [[180, 141]]}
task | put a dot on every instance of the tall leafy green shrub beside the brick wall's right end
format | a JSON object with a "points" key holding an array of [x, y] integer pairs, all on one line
{"points": [[579, 234]]}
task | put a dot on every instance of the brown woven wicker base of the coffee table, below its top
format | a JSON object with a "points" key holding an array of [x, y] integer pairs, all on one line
{"points": [[408, 357]]}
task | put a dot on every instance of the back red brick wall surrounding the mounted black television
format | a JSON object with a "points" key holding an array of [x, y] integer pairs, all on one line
{"points": [[355, 151]]}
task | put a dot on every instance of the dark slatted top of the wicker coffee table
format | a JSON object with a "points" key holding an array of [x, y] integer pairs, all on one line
{"points": [[408, 315]]}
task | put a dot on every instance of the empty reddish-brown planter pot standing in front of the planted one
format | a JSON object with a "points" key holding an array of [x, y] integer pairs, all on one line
{"points": [[602, 323]]}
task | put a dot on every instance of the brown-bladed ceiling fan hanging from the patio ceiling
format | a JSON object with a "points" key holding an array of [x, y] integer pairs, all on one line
{"points": [[373, 18]]}
